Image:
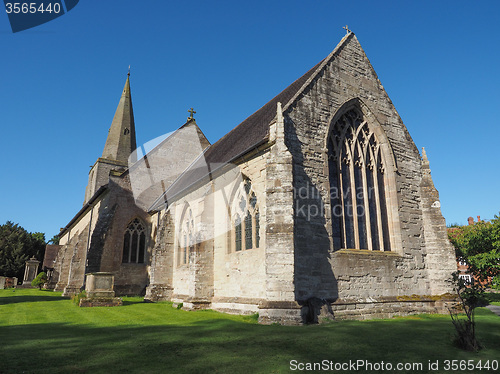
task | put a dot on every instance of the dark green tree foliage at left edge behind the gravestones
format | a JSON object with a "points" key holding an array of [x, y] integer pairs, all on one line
{"points": [[16, 247]]}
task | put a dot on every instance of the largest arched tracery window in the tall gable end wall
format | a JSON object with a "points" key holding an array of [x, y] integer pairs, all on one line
{"points": [[357, 185]]}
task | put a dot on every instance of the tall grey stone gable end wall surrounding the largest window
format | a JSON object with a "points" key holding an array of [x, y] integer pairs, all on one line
{"points": [[319, 271]]}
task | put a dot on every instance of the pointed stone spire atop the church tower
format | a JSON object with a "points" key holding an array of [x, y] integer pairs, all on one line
{"points": [[121, 136]]}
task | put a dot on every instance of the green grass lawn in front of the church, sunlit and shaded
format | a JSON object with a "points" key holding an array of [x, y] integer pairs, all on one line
{"points": [[40, 332]]}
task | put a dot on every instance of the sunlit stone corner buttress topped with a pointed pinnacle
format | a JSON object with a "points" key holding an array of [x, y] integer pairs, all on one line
{"points": [[281, 252]]}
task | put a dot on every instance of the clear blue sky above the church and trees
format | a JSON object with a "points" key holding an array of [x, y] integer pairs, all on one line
{"points": [[61, 82]]}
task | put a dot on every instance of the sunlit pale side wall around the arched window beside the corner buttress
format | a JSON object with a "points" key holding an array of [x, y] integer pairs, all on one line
{"points": [[239, 276]]}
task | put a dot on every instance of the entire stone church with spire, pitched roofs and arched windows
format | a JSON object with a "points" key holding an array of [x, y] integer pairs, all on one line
{"points": [[318, 201]]}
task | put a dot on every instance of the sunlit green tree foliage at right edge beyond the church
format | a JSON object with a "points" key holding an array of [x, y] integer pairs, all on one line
{"points": [[479, 246]]}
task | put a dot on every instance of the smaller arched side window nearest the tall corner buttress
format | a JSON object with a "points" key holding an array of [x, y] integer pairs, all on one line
{"points": [[246, 219]]}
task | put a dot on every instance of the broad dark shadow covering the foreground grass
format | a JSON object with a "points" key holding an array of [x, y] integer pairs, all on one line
{"points": [[226, 346]]}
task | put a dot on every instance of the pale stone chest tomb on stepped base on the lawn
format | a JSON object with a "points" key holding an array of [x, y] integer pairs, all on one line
{"points": [[99, 290]]}
